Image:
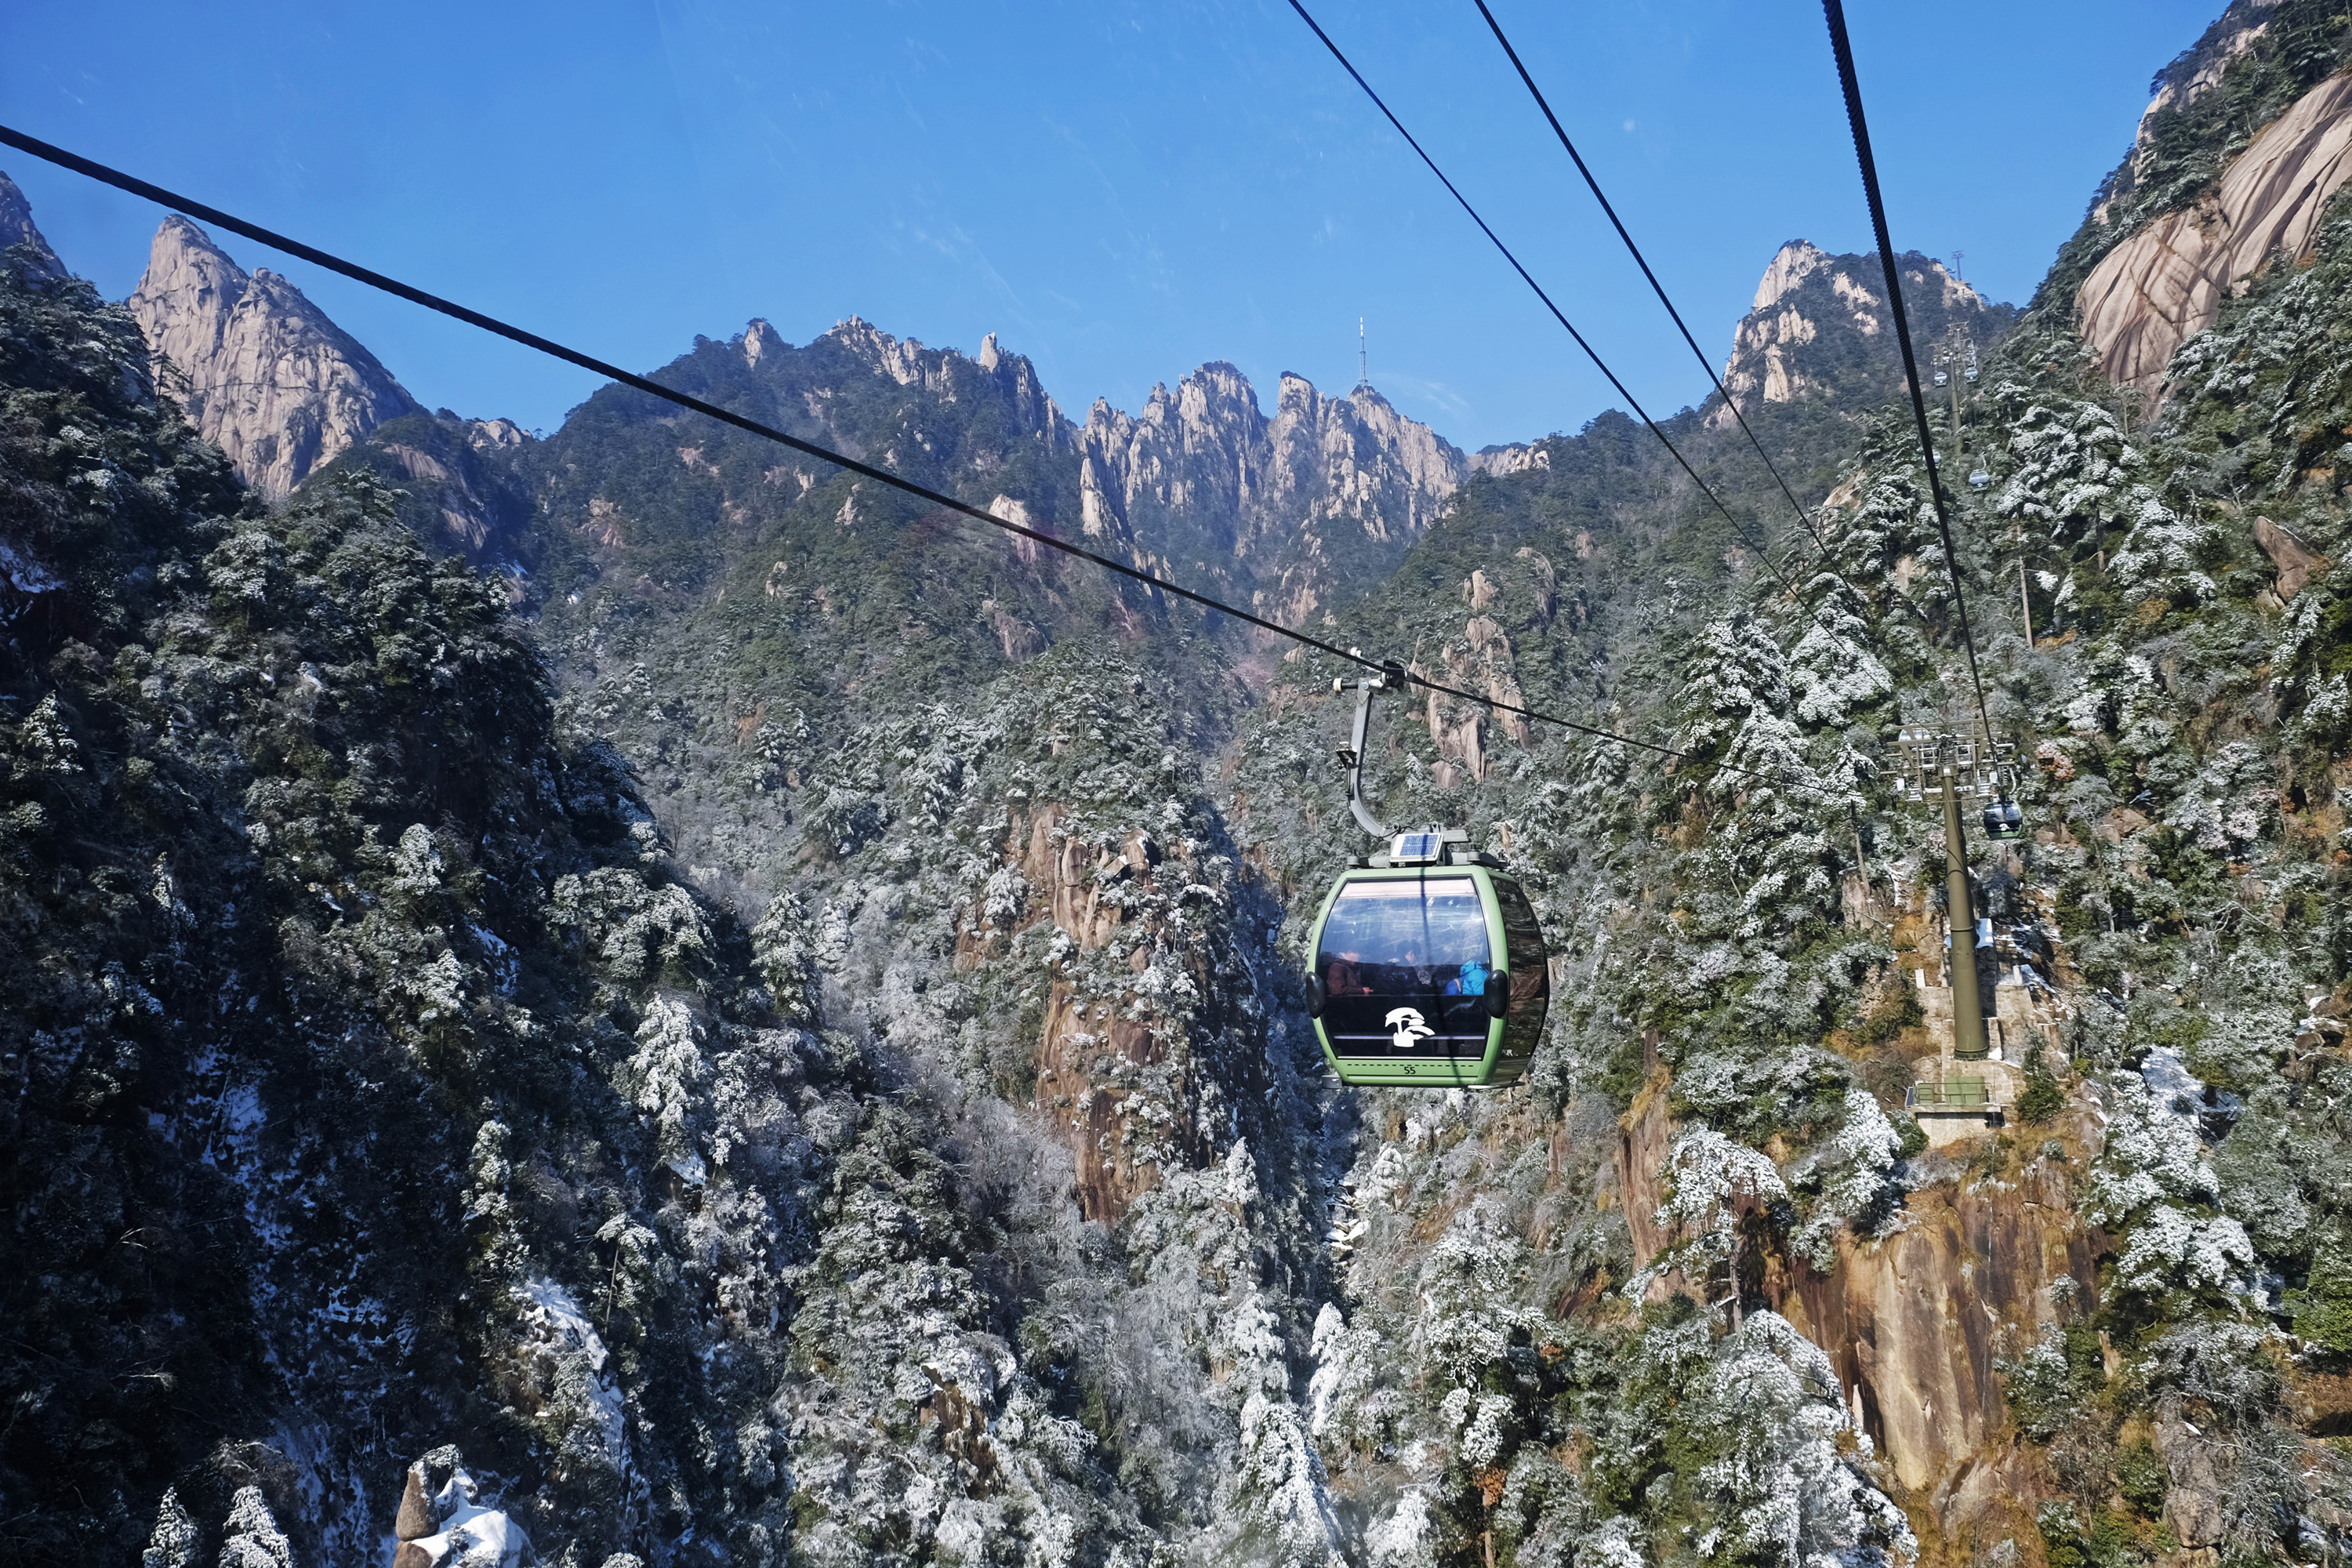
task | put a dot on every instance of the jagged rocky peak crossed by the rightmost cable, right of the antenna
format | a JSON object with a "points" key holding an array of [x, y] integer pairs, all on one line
{"points": [[1819, 328]]}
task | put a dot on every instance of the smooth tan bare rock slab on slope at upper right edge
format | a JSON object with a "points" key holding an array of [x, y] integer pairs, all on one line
{"points": [[2165, 283]]}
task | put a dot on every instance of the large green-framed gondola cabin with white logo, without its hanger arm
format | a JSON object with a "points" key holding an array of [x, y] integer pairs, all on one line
{"points": [[1429, 972]]}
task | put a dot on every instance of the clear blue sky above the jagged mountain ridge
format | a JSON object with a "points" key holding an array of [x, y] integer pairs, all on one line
{"points": [[1121, 192]]}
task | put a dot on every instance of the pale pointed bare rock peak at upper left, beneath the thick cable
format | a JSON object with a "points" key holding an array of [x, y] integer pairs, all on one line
{"points": [[260, 370]]}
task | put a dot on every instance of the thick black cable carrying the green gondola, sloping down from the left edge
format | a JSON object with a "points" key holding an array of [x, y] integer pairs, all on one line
{"points": [[686, 401]]}
